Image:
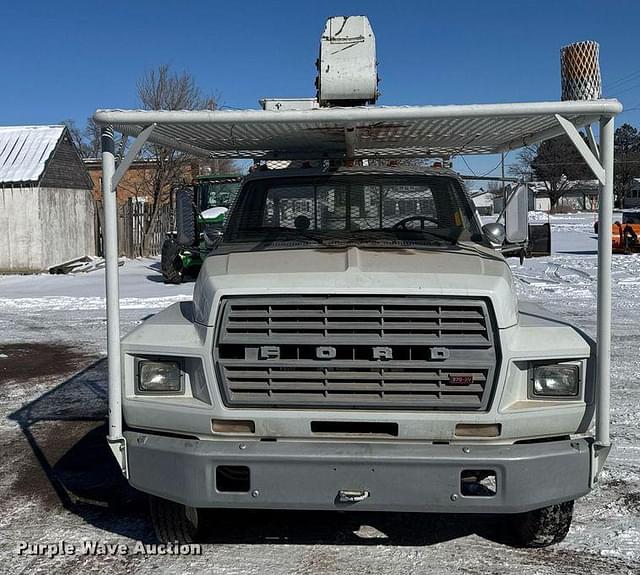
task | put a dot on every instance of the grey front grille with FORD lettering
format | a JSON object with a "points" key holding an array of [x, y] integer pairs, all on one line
{"points": [[356, 352]]}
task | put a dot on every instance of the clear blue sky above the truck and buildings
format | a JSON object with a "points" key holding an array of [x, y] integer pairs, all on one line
{"points": [[65, 59]]}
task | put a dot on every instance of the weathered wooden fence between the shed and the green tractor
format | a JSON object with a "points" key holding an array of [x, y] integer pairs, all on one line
{"points": [[133, 220]]}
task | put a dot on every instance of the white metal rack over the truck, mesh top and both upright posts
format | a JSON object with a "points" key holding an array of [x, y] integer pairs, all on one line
{"points": [[363, 132]]}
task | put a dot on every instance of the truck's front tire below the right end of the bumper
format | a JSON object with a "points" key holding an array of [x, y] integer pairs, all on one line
{"points": [[542, 527]]}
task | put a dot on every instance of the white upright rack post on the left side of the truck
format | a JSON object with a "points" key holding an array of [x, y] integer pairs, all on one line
{"points": [[114, 438]]}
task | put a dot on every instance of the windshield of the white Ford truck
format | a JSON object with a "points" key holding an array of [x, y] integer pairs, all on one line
{"points": [[353, 209]]}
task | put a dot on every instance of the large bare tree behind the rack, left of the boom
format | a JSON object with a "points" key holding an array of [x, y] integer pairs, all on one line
{"points": [[161, 89]]}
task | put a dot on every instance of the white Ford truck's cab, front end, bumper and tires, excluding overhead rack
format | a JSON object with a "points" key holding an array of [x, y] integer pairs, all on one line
{"points": [[355, 342]]}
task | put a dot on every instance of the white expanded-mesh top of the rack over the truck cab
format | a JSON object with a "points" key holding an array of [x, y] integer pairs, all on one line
{"points": [[359, 132]]}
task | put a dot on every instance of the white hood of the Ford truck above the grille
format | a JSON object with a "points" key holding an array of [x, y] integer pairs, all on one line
{"points": [[458, 271]]}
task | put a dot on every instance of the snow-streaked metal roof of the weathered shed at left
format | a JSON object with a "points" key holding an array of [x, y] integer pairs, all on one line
{"points": [[24, 151]]}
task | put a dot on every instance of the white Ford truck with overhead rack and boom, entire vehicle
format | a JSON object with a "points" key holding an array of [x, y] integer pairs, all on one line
{"points": [[354, 341]]}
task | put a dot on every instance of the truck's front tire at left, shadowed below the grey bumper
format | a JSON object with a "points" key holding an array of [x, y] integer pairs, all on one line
{"points": [[174, 521]]}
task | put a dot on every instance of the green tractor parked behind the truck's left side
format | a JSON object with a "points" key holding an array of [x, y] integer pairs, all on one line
{"points": [[199, 228]]}
